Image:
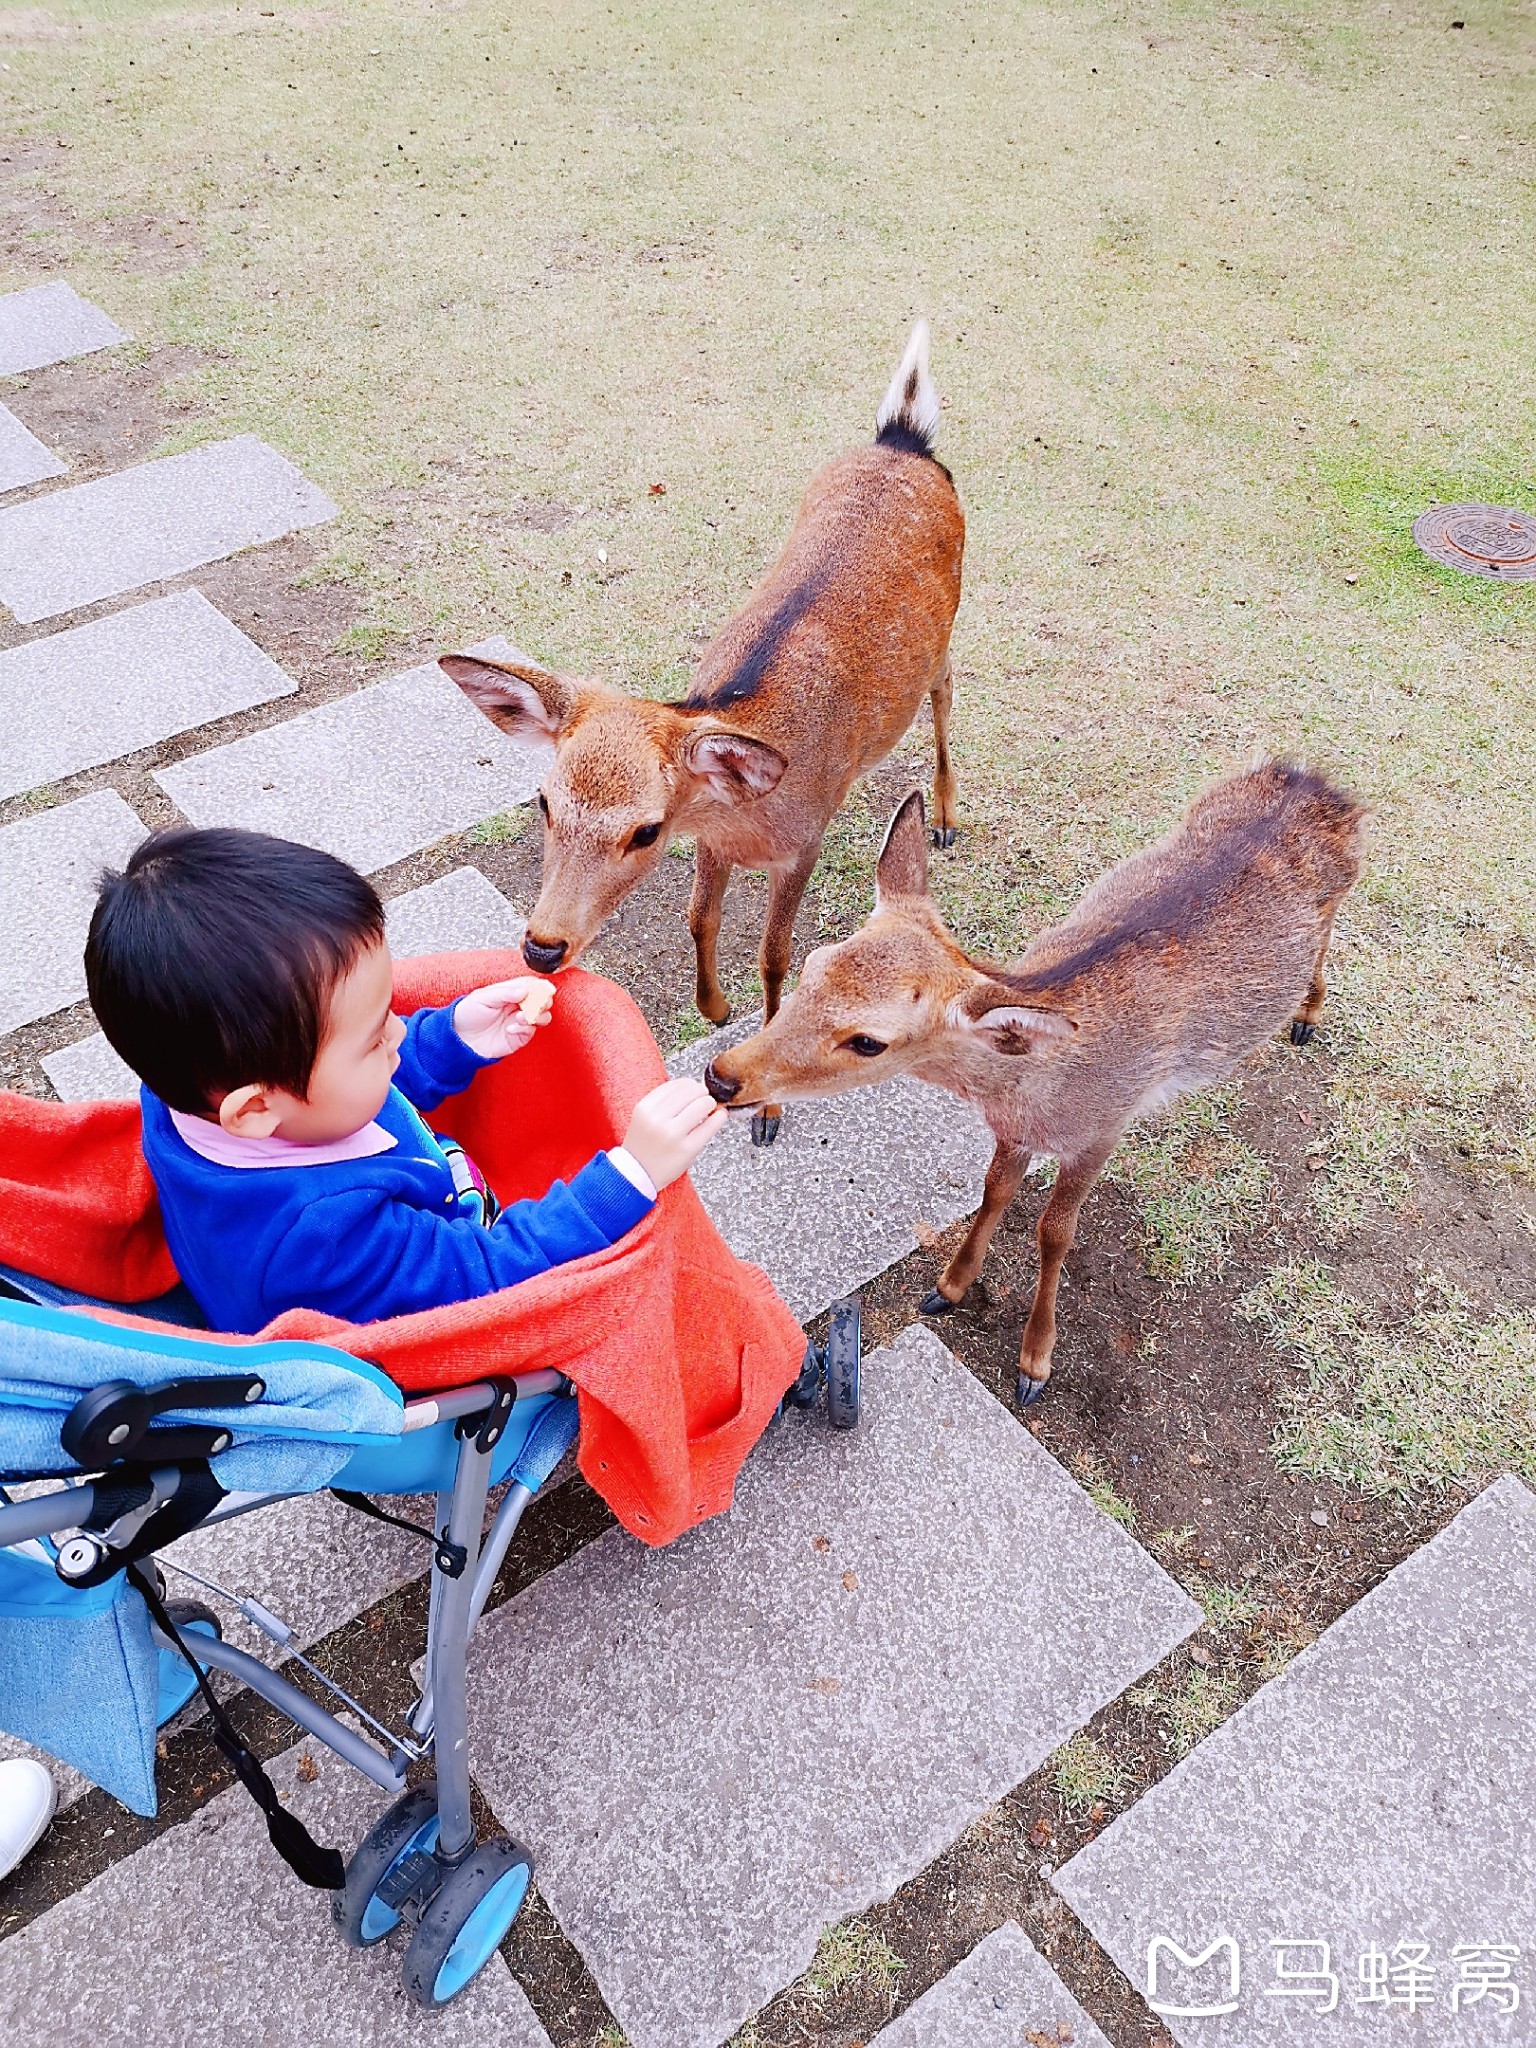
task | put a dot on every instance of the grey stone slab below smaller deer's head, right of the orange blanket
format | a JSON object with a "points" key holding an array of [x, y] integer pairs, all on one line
{"points": [[837, 1197]]}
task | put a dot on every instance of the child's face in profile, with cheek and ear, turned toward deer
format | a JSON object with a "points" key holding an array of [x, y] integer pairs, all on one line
{"points": [[351, 1078]]}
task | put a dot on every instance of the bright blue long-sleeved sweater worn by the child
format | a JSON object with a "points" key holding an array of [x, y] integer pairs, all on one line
{"points": [[370, 1238]]}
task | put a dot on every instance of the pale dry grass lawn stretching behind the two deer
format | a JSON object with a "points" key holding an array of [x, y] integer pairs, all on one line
{"points": [[1222, 298]]}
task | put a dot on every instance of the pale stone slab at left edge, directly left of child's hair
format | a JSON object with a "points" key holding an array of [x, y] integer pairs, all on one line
{"points": [[50, 867]]}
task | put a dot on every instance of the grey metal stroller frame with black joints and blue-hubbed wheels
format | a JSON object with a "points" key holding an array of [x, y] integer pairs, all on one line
{"points": [[421, 1859]]}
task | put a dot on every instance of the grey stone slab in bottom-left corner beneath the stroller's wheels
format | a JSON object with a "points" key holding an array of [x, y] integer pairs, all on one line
{"points": [[206, 1938]]}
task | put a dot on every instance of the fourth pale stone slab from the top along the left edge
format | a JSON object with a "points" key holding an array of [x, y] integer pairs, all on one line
{"points": [[99, 691]]}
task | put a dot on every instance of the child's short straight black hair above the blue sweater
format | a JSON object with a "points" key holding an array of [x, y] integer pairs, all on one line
{"points": [[212, 959]]}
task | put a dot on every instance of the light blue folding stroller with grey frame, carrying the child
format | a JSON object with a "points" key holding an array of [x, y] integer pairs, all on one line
{"points": [[144, 1437]]}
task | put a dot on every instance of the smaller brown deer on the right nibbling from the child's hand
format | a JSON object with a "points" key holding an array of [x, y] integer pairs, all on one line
{"points": [[1172, 968]]}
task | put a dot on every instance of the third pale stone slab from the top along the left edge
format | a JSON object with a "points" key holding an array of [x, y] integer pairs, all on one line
{"points": [[142, 525]]}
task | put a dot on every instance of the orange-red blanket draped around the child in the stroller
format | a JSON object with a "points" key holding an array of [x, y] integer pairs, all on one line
{"points": [[679, 1351]]}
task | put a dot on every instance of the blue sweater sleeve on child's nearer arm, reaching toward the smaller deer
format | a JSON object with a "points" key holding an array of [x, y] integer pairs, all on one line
{"points": [[368, 1256]]}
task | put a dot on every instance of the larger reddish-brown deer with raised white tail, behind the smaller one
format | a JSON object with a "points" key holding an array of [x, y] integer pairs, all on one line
{"points": [[804, 691]]}
